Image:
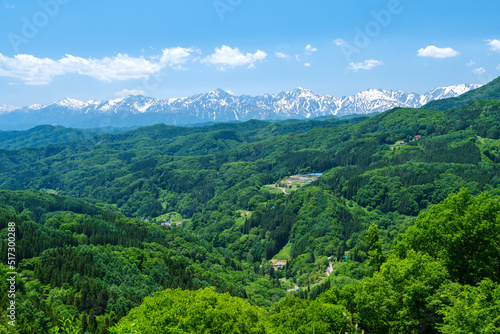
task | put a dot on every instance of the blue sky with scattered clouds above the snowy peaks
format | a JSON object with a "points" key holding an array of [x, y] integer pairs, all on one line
{"points": [[52, 49]]}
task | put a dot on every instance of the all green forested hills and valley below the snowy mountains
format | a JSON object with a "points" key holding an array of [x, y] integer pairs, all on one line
{"points": [[382, 224]]}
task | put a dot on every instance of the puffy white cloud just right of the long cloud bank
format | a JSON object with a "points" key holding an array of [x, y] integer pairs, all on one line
{"points": [[227, 56]]}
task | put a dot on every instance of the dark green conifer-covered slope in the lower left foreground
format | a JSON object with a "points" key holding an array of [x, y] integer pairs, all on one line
{"points": [[76, 259]]}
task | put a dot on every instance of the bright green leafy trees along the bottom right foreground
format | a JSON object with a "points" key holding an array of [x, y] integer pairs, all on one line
{"points": [[420, 288]]}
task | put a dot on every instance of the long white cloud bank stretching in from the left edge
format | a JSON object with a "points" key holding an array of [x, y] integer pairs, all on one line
{"points": [[41, 71]]}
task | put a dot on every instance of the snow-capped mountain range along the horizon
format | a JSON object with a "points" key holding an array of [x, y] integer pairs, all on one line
{"points": [[215, 106]]}
